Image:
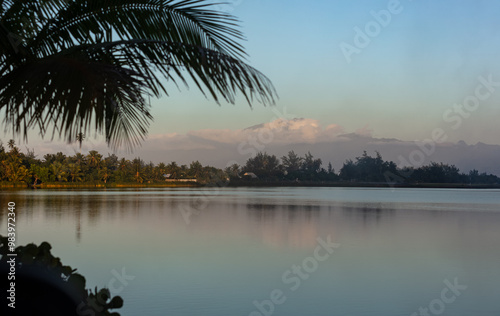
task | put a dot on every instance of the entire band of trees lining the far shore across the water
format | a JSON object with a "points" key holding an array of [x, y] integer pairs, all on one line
{"points": [[93, 168]]}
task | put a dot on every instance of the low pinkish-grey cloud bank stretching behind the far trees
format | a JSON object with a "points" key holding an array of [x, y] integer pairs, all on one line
{"points": [[219, 147]]}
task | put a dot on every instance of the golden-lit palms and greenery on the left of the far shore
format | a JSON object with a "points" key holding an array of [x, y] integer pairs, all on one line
{"points": [[19, 167]]}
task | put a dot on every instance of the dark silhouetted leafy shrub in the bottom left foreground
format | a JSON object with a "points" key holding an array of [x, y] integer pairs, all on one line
{"points": [[44, 286]]}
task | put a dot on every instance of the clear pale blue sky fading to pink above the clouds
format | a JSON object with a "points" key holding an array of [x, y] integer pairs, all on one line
{"points": [[388, 69]]}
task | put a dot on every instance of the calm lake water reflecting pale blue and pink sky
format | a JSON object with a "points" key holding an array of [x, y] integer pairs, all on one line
{"points": [[210, 252]]}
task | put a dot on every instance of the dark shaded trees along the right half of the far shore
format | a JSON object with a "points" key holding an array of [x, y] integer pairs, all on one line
{"points": [[363, 169]]}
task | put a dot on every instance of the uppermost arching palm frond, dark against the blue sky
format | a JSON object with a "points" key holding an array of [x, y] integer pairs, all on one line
{"points": [[186, 21]]}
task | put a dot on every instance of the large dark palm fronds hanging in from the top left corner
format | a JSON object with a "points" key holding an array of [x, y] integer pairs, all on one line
{"points": [[81, 65]]}
